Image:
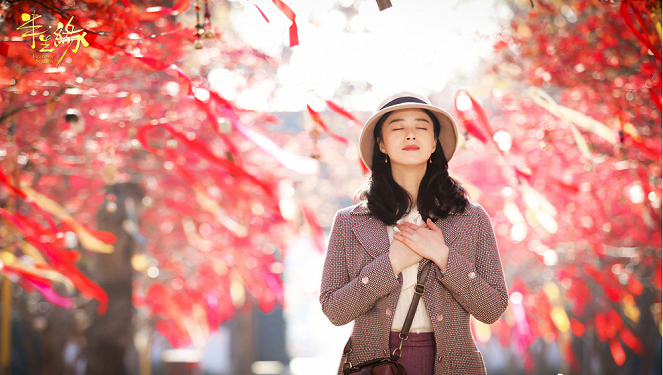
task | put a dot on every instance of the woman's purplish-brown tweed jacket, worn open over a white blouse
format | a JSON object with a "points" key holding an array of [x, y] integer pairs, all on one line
{"points": [[358, 283]]}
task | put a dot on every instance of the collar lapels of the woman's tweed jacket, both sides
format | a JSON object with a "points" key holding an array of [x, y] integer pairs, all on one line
{"points": [[372, 232]]}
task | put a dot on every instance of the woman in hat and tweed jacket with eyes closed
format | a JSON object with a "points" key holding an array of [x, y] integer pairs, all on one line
{"points": [[412, 212]]}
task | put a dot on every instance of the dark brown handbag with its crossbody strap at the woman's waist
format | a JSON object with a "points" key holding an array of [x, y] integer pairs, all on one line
{"points": [[388, 365]]}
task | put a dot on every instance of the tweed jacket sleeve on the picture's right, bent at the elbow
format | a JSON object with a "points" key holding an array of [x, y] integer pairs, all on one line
{"points": [[478, 286]]}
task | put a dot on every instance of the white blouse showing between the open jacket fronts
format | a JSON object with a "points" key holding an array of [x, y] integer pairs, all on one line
{"points": [[421, 321]]}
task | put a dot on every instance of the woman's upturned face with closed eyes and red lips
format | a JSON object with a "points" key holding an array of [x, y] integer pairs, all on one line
{"points": [[408, 137]]}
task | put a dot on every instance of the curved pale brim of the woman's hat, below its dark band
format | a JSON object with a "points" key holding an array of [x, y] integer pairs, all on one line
{"points": [[448, 131]]}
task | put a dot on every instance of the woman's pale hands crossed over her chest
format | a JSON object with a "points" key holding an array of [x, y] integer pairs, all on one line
{"points": [[422, 241]]}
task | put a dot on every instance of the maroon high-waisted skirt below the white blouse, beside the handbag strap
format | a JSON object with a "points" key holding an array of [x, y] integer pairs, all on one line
{"points": [[418, 356]]}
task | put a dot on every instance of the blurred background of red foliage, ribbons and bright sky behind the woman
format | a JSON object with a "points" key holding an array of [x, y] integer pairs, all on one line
{"points": [[169, 171]]}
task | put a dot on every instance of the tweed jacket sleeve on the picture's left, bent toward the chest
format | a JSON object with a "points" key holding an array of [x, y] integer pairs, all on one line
{"points": [[343, 298]]}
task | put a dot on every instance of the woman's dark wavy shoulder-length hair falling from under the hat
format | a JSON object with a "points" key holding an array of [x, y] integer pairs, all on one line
{"points": [[439, 194]]}
